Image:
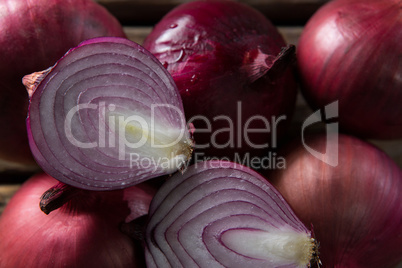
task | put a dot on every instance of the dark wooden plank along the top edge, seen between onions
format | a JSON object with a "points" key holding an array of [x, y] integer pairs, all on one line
{"points": [[148, 12]]}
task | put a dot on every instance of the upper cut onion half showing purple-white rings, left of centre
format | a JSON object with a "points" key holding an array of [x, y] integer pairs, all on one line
{"points": [[107, 116]]}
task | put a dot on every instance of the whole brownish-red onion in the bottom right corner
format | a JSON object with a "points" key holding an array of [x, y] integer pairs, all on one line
{"points": [[355, 207]]}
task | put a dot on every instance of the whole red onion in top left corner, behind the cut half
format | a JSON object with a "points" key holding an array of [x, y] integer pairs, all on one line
{"points": [[34, 35]]}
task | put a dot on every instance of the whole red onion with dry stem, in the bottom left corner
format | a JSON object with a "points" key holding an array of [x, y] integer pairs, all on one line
{"points": [[83, 233]]}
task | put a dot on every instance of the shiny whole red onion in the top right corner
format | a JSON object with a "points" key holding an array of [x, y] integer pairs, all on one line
{"points": [[350, 51]]}
